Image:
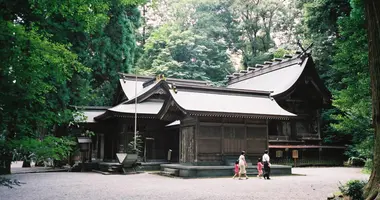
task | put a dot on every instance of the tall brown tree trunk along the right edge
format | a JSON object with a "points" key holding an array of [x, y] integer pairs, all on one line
{"points": [[372, 8]]}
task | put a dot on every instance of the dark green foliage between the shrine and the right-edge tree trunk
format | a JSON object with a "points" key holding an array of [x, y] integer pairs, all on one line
{"points": [[352, 91]]}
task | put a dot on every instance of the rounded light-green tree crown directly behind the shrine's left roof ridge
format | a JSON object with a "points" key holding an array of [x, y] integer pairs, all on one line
{"points": [[184, 54]]}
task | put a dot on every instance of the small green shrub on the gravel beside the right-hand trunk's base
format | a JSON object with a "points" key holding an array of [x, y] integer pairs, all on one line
{"points": [[353, 189]]}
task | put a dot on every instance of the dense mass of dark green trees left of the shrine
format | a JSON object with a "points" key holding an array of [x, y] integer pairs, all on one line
{"points": [[46, 66]]}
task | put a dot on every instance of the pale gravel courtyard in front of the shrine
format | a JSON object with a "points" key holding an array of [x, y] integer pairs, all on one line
{"points": [[316, 183]]}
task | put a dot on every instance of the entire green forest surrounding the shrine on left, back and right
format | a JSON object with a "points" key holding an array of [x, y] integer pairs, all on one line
{"points": [[55, 54]]}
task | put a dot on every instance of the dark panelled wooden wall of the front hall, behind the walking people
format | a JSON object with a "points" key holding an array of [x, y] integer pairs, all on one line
{"points": [[211, 142]]}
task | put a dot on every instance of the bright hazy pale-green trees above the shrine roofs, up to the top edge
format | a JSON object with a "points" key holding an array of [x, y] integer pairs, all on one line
{"points": [[199, 39]]}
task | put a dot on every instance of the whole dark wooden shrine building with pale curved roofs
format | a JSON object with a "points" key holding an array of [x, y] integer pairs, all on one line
{"points": [[273, 106]]}
